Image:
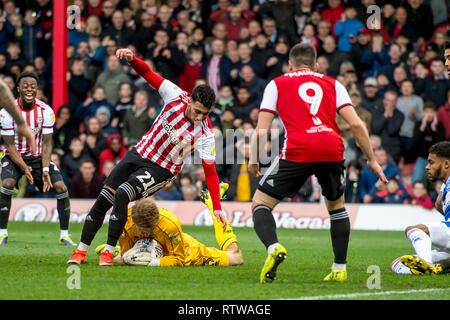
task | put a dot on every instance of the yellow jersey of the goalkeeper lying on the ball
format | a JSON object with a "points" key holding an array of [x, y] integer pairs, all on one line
{"points": [[180, 249]]}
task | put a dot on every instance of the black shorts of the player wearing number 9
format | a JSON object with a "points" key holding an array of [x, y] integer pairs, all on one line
{"points": [[288, 177]]}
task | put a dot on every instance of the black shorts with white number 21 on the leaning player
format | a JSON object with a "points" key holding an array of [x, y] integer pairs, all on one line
{"points": [[143, 175]]}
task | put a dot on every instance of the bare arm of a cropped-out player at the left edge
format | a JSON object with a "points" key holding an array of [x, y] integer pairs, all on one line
{"points": [[7, 102]]}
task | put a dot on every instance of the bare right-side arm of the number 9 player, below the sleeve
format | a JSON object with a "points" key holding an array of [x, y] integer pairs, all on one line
{"points": [[361, 135]]}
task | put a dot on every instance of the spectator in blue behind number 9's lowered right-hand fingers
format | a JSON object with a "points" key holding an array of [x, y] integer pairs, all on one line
{"points": [[369, 179]]}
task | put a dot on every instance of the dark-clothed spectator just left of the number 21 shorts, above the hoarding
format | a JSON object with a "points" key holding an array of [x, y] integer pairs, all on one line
{"points": [[88, 183]]}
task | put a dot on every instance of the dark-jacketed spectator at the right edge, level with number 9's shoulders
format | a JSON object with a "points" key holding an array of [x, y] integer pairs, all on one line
{"points": [[434, 87]]}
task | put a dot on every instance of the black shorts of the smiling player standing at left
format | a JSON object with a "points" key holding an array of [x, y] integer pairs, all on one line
{"points": [[10, 170]]}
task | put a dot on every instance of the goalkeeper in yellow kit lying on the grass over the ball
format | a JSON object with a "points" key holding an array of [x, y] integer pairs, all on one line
{"points": [[146, 220]]}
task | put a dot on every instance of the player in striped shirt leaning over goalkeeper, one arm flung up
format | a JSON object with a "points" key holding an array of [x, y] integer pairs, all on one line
{"points": [[182, 126]]}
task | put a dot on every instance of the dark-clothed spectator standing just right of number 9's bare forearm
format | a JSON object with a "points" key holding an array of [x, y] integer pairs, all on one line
{"points": [[387, 123]]}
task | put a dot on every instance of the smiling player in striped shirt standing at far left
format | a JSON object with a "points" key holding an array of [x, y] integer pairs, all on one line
{"points": [[20, 159]]}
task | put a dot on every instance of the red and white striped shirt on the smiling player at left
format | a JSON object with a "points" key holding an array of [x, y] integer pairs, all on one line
{"points": [[40, 119]]}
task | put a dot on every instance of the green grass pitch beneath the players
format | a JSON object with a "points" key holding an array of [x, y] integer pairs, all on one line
{"points": [[33, 266]]}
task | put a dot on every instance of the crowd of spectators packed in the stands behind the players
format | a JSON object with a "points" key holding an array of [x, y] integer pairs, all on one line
{"points": [[391, 64]]}
